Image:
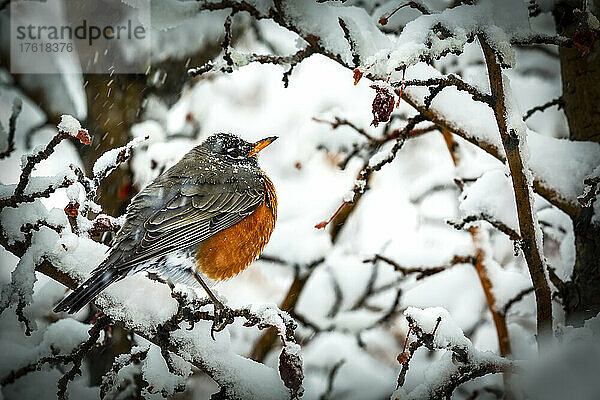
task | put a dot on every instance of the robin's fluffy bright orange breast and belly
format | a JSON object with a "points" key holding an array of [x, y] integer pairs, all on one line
{"points": [[230, 251]]}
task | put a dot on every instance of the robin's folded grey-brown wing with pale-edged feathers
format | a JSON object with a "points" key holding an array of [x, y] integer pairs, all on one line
{"points": [[190, 217]]}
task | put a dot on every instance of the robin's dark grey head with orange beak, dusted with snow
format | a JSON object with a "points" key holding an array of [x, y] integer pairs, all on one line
{"points": [[234, 149]]}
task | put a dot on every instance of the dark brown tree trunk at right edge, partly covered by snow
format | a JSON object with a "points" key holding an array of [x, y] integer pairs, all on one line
{"points": [[581, 95]]}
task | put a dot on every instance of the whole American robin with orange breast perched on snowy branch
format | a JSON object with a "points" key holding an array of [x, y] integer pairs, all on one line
{"points": [[208, 216]]}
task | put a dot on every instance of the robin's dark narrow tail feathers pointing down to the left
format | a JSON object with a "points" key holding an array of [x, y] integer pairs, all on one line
{"points": [[88, 290]]}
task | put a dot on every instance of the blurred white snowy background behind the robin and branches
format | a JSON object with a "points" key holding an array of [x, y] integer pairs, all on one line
{"points": [[402, 216]]}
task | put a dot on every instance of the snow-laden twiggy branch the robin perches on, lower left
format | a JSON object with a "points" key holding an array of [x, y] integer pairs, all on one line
{"points": [[43, 242]]}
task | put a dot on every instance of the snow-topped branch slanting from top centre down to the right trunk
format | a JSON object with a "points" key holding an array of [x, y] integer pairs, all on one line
{"points": [[382, 59]]}
